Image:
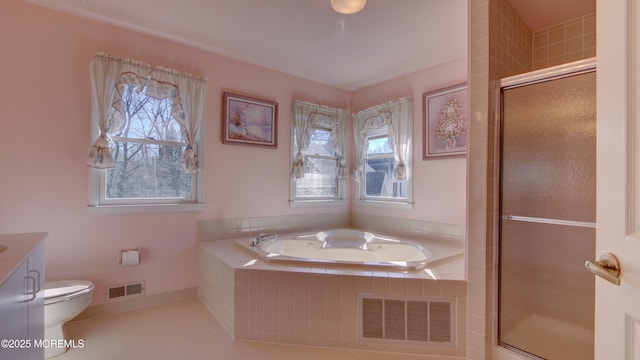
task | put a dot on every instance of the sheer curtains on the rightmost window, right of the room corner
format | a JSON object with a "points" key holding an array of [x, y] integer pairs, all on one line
{"points": [[395, 119]]}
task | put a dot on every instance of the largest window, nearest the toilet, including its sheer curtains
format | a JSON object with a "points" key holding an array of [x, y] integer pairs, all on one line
{"points": [[147, 125]]}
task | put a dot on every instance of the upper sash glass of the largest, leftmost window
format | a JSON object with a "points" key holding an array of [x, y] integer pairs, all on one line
{"points": [[148, 117]]}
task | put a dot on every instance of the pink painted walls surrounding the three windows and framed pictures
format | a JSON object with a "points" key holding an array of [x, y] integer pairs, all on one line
{"points": [[44, 143]]}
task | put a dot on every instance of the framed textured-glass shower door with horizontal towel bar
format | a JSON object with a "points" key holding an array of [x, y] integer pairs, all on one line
{"points": [[547, 212]]}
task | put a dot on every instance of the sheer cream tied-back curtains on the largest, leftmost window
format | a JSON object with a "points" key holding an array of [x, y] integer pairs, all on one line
{"points": [[110, 75]]}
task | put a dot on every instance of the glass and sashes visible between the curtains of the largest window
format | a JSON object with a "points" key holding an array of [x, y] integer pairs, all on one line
{"points": [[147, 153]]}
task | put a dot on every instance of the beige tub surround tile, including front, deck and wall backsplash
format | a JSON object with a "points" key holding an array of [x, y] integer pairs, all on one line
{"points": [[317, 305]]}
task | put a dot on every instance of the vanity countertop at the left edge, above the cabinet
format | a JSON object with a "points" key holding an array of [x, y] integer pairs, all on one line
{"points": [[19, 246]]}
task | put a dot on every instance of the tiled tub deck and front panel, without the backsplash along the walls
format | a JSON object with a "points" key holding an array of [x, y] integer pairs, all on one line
{"points": [[319, 305]]}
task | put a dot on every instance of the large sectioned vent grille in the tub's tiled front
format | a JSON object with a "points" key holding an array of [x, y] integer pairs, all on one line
{"points": [[423, 320]]}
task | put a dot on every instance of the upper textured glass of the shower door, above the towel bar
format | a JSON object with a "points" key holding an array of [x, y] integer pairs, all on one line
{"points": [[548, 150]]}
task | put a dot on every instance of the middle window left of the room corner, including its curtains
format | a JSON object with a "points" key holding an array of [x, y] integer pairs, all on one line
{"points": [[319, 167]]}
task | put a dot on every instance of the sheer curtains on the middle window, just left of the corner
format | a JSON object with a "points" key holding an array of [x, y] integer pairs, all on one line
{"points": [[306, 117]]}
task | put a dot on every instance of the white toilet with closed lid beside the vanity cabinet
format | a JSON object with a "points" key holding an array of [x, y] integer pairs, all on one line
{"points": [[63, 300]]}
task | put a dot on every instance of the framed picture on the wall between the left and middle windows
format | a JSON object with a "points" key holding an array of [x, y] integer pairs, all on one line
{"points": [[250, 121]]}
